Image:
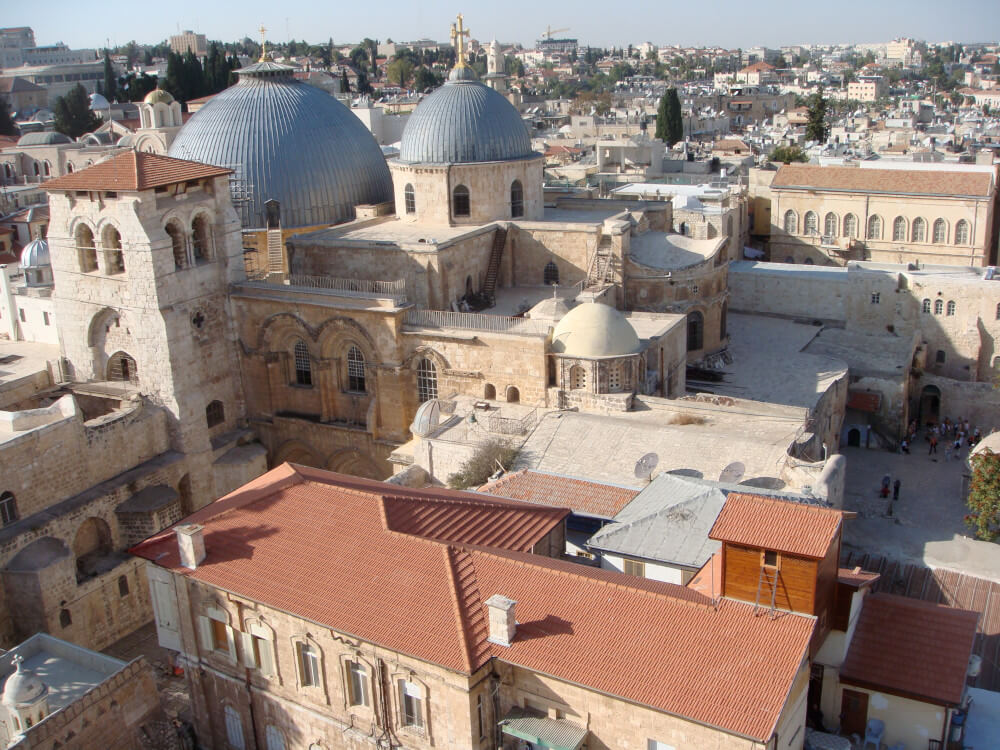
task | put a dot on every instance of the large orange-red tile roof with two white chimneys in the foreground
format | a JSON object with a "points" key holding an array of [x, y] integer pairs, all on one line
{"points": [[320, 546]]}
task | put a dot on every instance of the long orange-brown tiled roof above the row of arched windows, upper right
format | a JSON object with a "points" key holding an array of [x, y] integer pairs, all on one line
{"points": [[890, 181]]}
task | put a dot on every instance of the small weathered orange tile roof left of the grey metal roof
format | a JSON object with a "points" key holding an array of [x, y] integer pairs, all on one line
{"points": [[579, 495]]}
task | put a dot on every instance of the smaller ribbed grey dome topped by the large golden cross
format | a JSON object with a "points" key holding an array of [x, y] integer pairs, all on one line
{"points": [[464, 121]]}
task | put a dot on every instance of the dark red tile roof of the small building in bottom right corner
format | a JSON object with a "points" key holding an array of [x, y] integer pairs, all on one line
{"points": [[912, 648]]}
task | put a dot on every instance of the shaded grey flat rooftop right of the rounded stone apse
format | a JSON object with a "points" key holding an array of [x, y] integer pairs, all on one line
{"points": [[773, 363]]}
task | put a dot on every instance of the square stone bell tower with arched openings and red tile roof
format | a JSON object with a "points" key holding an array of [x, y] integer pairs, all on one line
{"points": [[143, 249]]}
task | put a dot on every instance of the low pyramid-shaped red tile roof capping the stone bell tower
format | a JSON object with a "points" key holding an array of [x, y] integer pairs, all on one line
{"points": [[133, 171]]}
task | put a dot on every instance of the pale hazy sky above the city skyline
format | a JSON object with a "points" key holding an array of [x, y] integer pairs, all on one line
{"points": [[598, 22]]}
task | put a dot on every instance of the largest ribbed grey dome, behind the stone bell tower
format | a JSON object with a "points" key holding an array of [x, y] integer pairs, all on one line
{"points": [[290, 142]]}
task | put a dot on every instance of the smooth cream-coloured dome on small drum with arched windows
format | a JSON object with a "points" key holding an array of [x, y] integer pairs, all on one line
{"points": [[594, 330]]}
